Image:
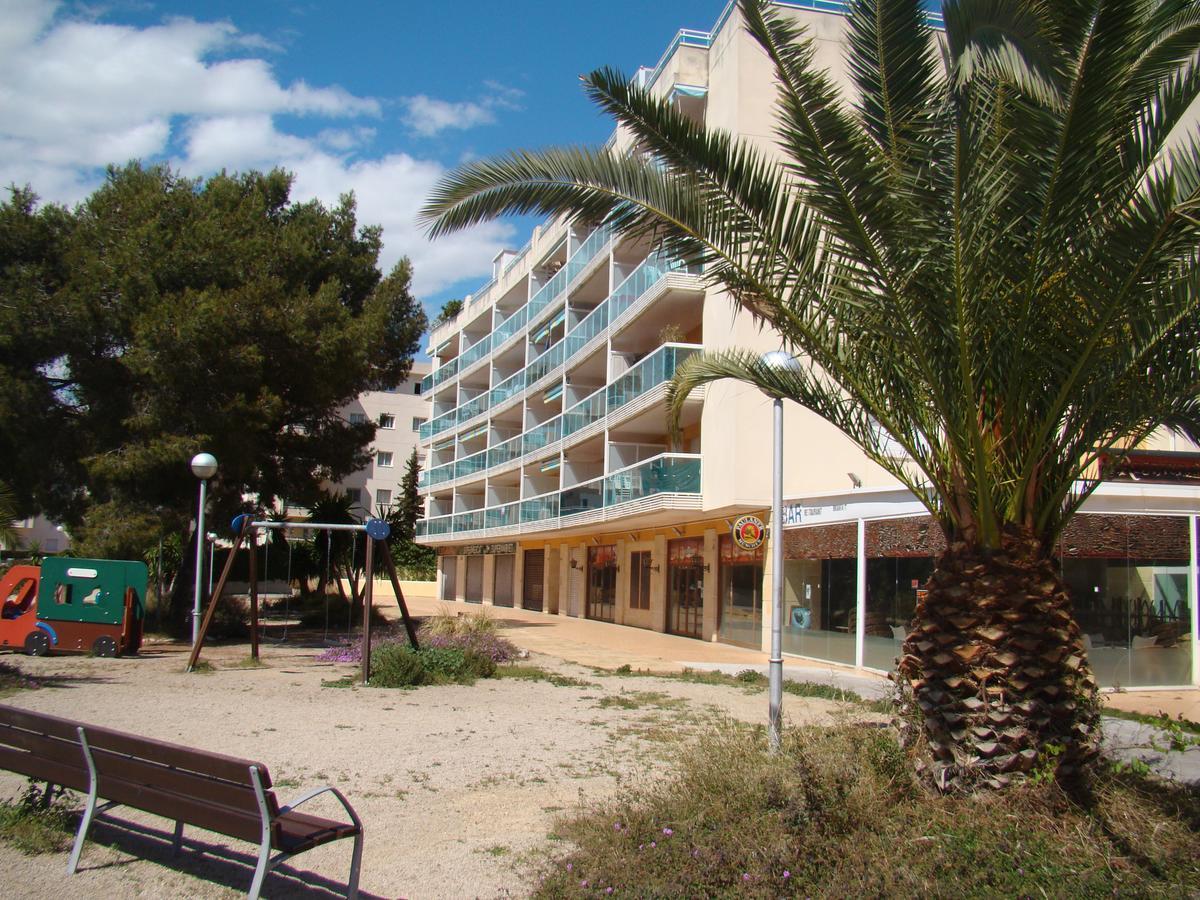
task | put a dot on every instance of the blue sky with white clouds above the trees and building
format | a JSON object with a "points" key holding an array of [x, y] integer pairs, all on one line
{"points": [[361, 95]]}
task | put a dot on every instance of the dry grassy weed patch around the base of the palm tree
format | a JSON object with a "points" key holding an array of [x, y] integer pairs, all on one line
{"points": [[839, 814]]}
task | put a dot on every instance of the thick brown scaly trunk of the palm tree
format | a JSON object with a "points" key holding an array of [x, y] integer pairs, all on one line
{"points": [[995, 671]]}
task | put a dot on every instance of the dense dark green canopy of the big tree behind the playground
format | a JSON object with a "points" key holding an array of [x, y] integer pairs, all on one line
{"points": [[165, 316]]}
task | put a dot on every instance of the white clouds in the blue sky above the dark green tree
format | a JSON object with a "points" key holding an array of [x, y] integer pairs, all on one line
{"points": [[77, 95]]}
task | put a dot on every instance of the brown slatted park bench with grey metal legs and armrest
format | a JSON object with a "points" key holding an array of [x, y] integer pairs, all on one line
{"points": [[212, 791]]}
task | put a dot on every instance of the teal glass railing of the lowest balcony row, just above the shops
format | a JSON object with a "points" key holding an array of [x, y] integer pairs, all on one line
{"points": [[667, 473]]}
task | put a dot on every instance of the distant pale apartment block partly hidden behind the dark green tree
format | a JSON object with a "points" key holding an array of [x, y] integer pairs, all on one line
{"points": [[399, 415]]}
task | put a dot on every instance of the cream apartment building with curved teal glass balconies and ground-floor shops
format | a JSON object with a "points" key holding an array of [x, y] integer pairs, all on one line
{"points": [[553, 483]]}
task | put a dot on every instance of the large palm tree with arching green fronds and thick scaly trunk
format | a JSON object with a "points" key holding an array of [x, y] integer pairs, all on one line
{"points": [[986, 256]]}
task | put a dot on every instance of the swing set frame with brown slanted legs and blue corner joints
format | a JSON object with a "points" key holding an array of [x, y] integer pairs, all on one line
{"points": [[247, 529]]}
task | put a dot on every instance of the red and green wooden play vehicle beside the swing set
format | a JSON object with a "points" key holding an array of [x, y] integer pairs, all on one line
{"points": [[74, 605]]}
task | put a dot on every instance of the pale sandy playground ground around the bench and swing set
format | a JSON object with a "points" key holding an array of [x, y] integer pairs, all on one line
{"points": [[457, 785]]}
